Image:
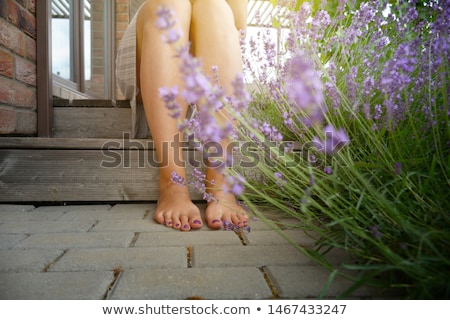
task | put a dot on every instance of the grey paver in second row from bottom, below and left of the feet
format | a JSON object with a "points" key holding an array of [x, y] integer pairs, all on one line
{"points": [[129, 258]]}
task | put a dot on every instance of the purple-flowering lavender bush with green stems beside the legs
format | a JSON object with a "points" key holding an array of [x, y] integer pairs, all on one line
{"points": [[348, 130]]}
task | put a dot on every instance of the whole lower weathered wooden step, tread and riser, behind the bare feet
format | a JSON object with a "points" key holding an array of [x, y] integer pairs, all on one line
{"points": [[87, 170]]}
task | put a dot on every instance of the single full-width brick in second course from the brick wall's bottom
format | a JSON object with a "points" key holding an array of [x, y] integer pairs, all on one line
{"points": [[16, 94]]}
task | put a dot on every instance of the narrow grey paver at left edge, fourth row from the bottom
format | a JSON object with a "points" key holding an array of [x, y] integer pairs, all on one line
{"points": [[31, 227]]}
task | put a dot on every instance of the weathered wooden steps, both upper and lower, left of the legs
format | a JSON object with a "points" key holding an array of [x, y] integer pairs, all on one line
{"points": [[90, 158]]}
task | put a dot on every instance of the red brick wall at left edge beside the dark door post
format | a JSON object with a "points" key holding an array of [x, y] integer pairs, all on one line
{"points": [[18, 67]]}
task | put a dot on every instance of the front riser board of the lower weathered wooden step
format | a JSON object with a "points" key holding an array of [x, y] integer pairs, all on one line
{"points": [[78, 175]]}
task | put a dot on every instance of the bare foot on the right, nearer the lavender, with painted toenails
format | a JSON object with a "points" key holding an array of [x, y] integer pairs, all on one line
{"points": [[225, 209]]}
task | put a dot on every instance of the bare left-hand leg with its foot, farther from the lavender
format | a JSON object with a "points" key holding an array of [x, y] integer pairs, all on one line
{"points": [[157, 67]]}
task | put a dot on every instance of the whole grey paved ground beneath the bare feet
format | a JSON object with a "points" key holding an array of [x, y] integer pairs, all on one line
{"points": [[156, 266]]}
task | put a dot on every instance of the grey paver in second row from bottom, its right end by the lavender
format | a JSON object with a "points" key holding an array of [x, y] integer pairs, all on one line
{"points": [[247, 256]]}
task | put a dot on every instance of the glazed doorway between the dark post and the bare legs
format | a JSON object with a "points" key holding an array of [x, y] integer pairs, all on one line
{"points": [[83, 48]]}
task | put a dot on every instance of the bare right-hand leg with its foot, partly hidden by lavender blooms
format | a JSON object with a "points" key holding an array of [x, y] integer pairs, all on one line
{"points": [[216, 41]]}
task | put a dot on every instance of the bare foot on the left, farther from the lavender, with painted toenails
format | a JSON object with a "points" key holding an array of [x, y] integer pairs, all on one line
{"points": [[176, 210]]}
